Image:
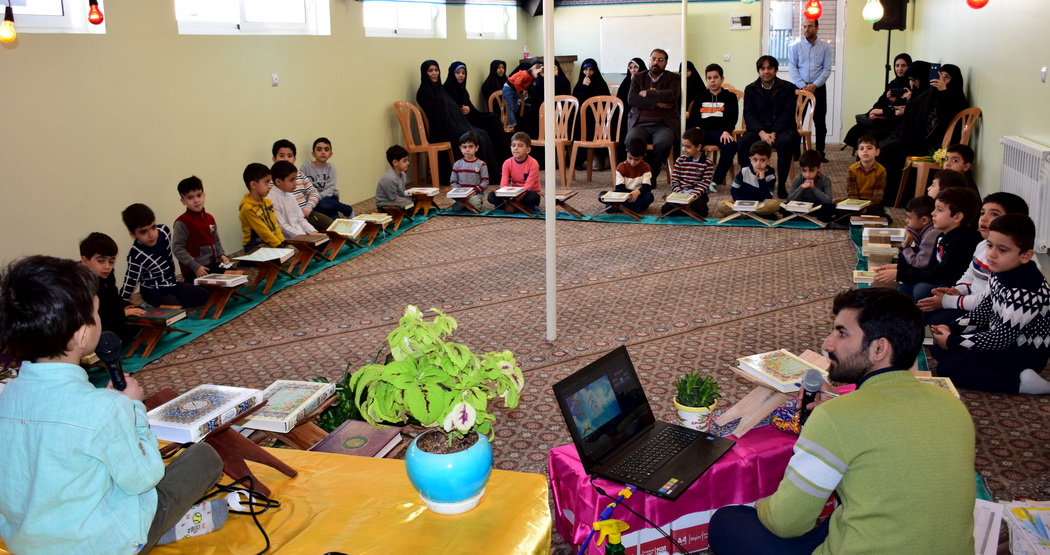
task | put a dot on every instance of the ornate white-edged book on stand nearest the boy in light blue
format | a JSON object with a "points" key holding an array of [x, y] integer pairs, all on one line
{"points": [[198, 413]]}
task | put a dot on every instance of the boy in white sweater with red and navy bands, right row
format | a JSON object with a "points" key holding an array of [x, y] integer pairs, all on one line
{"points": [[948, 305]]}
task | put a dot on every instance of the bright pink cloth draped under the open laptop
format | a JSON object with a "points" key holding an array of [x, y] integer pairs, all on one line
{"points": [[751, 471]]}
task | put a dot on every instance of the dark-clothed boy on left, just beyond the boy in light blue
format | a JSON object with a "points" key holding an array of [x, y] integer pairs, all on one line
{"points": [[98, 252]]}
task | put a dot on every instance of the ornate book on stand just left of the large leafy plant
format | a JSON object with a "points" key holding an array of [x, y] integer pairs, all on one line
{"points": [[288, 403]]}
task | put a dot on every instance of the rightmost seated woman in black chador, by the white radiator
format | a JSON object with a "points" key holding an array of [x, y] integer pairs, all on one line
{"points": [[925, 120]]}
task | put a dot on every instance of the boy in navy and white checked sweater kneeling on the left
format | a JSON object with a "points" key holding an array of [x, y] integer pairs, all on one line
{"points": [[151, 265]]}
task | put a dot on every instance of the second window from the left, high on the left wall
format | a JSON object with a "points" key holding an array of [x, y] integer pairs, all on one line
{"points": [[254, 17]]}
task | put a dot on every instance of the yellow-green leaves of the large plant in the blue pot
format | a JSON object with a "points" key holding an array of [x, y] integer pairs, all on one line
{"points": [[435, 381]]}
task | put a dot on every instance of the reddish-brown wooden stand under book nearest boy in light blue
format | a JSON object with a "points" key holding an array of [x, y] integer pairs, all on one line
{"points": [[233, 447]]}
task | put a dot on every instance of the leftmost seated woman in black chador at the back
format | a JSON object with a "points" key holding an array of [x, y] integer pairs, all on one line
{"points": [[448, 122]]}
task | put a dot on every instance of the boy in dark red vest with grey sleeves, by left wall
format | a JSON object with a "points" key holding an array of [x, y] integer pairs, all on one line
{"points": [[195, 239]]}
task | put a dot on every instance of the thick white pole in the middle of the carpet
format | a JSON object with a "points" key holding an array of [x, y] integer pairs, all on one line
{"points": [[551, 211]]}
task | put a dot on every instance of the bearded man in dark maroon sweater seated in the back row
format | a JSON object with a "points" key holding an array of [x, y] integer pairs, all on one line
{"points": [[655, 117]]}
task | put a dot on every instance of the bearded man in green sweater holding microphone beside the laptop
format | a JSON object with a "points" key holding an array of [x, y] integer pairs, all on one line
{"points": [[897, 454]]}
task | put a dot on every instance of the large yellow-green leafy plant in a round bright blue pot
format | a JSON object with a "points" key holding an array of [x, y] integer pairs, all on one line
{"points": [[440, 385]]}
